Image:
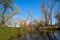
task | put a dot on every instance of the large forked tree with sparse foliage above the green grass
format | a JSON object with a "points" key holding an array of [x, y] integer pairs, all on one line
{"points": [[7, 4]]}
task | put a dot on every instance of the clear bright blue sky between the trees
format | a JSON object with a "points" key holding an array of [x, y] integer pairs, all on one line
{"points": [[33, 5]]}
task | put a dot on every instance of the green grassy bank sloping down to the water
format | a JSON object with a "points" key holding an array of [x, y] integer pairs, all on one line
{"points": [[8, 32]]}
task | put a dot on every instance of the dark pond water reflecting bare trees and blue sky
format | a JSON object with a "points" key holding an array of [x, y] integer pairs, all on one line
{"points": [[39, 35]]}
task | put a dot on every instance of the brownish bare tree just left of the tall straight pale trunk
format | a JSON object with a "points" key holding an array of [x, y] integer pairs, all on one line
{"points": [[44, 10]]}
